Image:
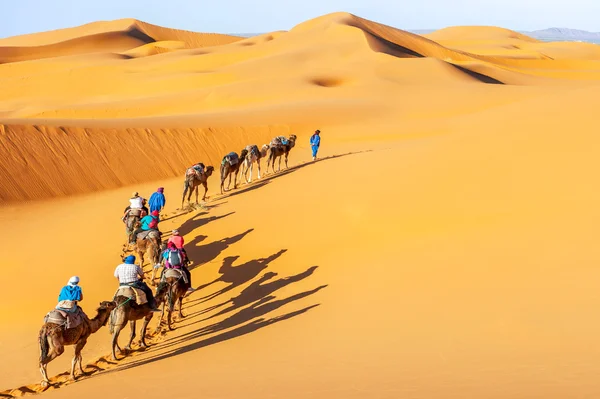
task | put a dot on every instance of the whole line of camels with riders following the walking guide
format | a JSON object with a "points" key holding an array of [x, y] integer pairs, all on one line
{"points": [[133, 300]]}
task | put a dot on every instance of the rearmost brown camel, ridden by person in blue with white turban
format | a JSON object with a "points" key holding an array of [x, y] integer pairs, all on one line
{"points": [[54, 337]]}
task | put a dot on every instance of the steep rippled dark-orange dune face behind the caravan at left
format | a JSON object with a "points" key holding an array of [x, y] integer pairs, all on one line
{"points": [[45, 161]]}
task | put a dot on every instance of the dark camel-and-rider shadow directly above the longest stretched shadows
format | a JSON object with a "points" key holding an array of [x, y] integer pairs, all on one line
{"points": [[237, 275]]}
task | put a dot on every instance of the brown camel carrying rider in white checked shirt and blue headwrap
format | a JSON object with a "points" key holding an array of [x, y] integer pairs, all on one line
{"points": [[127, 310]]}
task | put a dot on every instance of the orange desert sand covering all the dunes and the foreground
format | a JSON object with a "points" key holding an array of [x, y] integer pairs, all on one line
{"points": [[451, 221]]}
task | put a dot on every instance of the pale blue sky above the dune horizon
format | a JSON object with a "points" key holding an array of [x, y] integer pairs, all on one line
{"points": [[256, 16]]}
